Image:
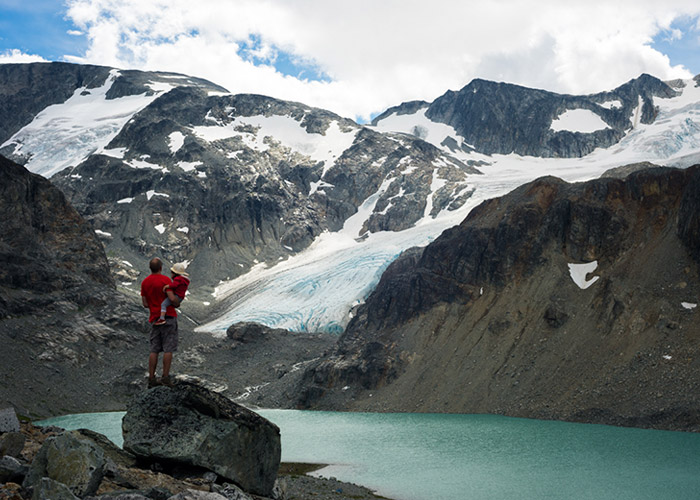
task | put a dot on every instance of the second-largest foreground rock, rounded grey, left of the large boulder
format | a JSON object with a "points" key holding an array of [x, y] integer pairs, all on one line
{"points": [[70, 459]]}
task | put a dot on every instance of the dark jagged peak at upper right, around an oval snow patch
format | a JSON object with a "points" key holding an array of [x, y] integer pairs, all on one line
{"points": [[501, 118]]}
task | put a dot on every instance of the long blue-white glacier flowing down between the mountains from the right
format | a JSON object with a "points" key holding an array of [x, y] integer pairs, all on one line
{"points": [[317, 289]]}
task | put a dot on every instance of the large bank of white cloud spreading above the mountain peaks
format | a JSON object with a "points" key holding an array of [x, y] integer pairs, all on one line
{"points": [[378, 54]]}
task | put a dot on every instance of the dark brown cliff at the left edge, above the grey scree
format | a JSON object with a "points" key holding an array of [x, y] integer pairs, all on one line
{"points": [[45, 246]]}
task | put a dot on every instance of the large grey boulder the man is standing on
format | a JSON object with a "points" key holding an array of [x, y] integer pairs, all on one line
{"points": [[191, 425]]}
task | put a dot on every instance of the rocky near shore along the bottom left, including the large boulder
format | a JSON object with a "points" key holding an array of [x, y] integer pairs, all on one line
{"points": [[180, 443]]}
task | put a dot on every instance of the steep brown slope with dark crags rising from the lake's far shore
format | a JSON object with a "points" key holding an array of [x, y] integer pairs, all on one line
{"points": [[498, 315]]}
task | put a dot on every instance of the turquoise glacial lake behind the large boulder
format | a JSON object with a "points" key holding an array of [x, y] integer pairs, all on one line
{"points": [[476, 457]]}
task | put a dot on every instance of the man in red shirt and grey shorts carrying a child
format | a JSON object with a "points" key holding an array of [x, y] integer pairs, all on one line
{"points": [[163, 337]]}
